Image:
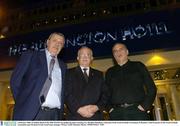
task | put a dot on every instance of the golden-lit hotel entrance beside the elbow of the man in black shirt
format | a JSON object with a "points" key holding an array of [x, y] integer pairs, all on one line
{"points": [[167, 102]]}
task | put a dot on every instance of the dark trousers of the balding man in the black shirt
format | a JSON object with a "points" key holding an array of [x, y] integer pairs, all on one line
{"points": [[129, 113]]}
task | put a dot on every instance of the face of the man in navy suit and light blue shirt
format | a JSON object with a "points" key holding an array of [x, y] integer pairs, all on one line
{"points": [[55, 44]]}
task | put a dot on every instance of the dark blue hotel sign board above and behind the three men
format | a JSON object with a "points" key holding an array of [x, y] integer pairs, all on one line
{"points": [[143, 32]]}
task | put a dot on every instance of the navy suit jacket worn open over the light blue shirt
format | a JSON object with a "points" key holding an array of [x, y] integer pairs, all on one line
{"points": [[27, 81]]}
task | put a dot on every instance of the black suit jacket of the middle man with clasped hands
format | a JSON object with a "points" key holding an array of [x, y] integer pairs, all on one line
{"points": [[80, 93]]}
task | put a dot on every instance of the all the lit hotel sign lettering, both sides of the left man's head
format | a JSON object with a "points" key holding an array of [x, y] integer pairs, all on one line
{"points": [[138, 32]]}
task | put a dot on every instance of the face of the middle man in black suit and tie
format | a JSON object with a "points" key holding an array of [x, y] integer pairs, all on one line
{"points": [[84, 57]]}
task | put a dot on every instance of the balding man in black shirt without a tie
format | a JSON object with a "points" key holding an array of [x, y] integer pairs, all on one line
{"points": [[131, 88]]}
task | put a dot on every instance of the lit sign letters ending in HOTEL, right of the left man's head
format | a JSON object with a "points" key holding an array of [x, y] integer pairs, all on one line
{"points": [[123, 34]]}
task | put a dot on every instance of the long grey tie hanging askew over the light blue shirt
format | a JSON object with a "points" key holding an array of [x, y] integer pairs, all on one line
{"points": [[48, 81]]}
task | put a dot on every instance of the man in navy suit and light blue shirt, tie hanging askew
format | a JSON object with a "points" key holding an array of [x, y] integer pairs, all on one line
{"points": [[28, 80]]}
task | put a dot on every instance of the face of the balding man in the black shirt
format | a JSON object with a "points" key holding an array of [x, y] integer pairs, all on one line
{"points": [[120, 53]]}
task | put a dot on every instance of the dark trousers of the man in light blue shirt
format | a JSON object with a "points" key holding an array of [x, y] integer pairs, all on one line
{"points": [[49, 114]]}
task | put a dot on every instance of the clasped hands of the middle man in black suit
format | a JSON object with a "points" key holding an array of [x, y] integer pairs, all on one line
{"points": [[88, 111]]}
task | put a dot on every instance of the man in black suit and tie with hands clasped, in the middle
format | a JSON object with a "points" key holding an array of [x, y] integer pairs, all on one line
{"points": [[85, 89]]}
